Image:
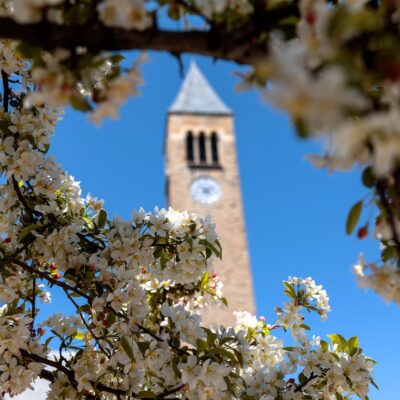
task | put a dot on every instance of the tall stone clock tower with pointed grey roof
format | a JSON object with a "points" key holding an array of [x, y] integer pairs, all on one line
{"points": [[202, 177]]}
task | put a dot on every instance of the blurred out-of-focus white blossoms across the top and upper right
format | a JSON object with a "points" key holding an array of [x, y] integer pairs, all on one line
{"points": [[332, 67]]}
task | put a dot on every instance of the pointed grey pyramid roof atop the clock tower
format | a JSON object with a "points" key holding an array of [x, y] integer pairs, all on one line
{"points": [[196, 96]]}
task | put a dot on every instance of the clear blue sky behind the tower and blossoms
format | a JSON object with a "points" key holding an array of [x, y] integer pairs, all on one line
{"points": [[295, 215]]}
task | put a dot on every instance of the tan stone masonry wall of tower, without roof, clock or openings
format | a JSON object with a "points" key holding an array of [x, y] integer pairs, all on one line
{"points": [[227, 212]]}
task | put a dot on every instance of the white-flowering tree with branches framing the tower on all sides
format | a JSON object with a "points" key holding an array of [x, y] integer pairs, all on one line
{"points": [[138, 286]]}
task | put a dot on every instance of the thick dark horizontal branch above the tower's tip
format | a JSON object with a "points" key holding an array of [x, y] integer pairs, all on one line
{"points": [[234, 45]]}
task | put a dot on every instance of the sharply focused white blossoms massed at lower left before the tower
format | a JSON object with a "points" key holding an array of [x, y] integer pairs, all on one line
{"points": [[137, 288]]}
